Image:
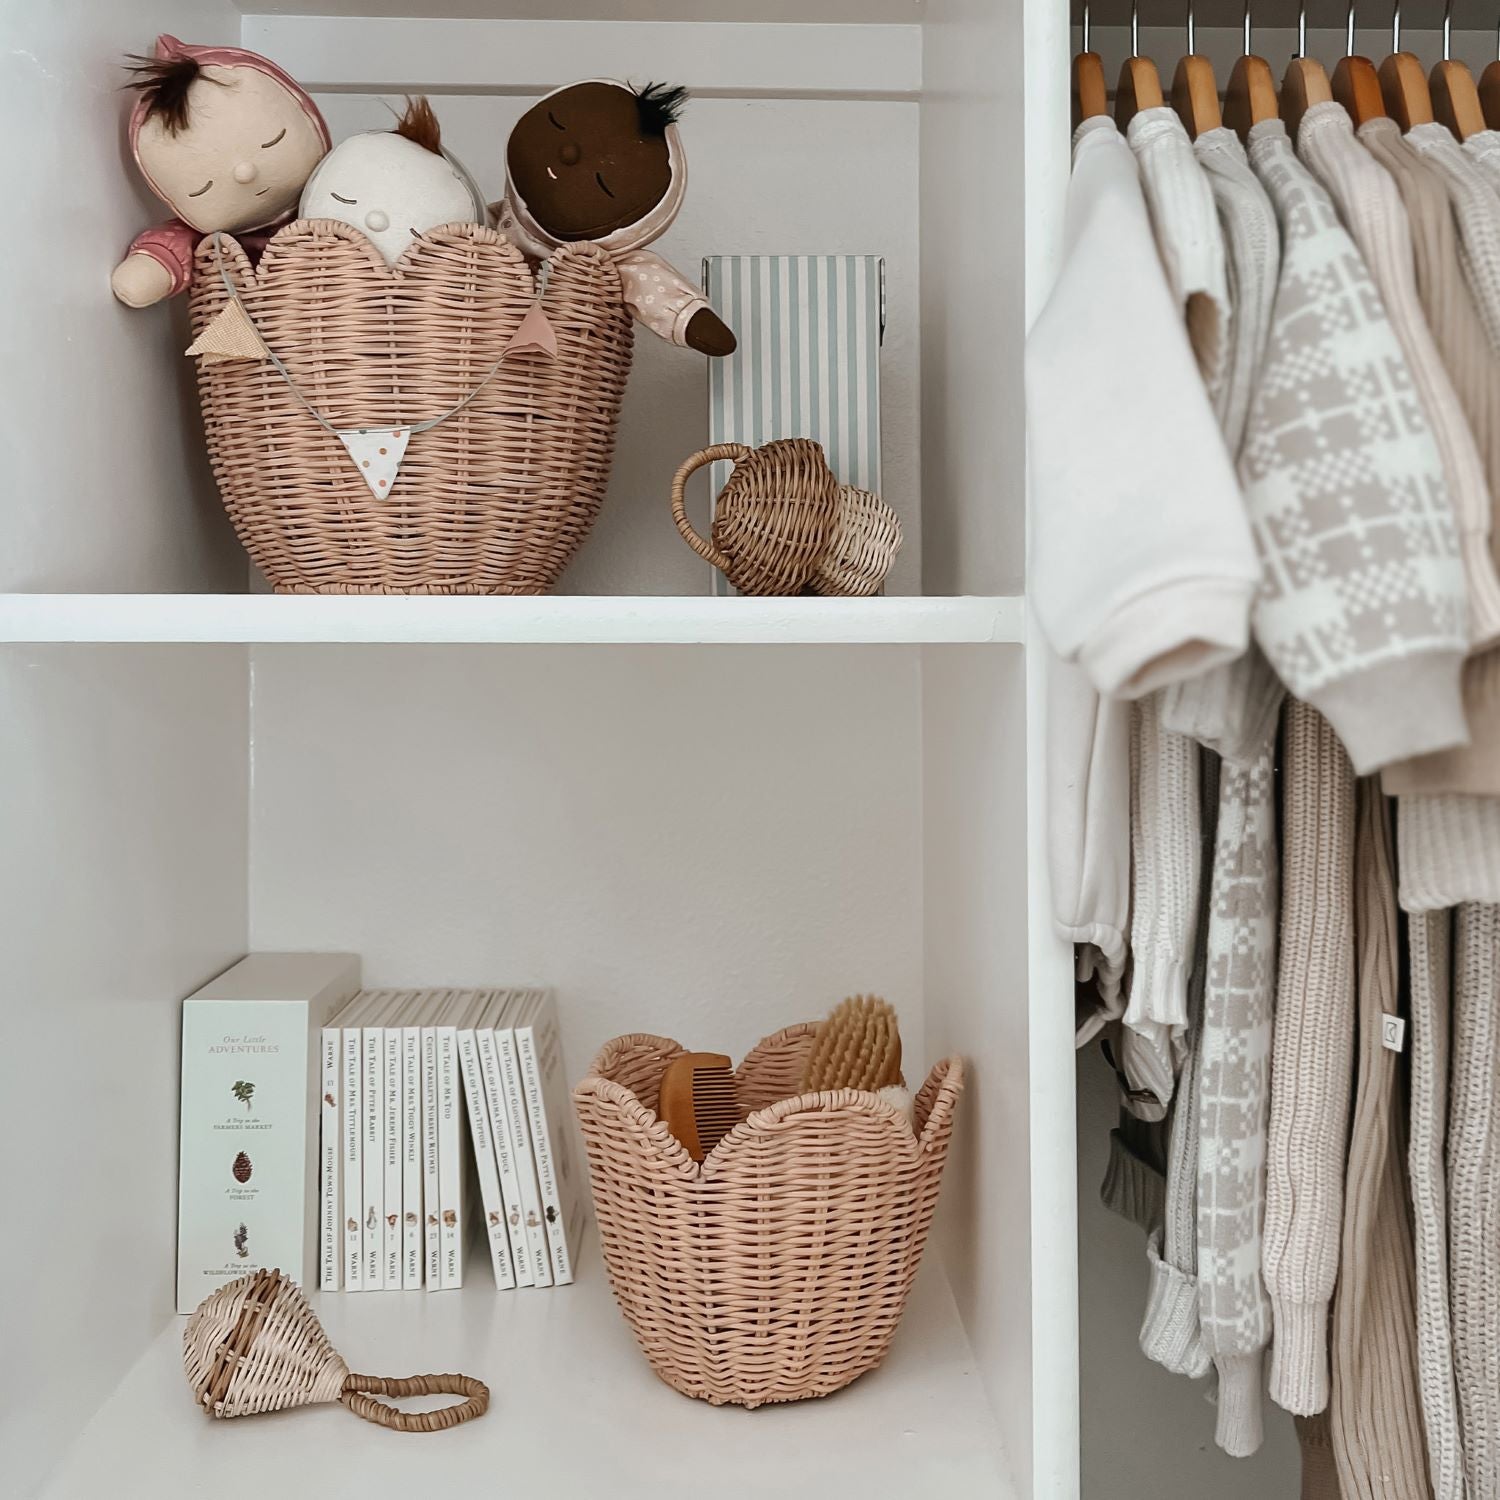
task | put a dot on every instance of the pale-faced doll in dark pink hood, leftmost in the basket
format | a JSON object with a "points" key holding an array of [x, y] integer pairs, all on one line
{"points": [[227, 142]]}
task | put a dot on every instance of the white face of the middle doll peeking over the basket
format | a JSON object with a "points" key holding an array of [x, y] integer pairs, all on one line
{"points": [[391, 188]]}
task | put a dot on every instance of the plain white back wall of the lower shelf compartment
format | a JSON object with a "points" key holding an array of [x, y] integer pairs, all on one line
{"points": [[703, 842]]}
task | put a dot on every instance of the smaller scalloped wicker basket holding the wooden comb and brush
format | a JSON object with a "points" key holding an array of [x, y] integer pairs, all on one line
{"points": [[779, 1268]]}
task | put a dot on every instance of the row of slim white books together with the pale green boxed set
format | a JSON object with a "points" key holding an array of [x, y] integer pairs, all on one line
{"points": [[371, 1139]]}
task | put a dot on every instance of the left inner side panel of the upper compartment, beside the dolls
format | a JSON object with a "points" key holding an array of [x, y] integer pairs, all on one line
{"points": [[107, 487]]}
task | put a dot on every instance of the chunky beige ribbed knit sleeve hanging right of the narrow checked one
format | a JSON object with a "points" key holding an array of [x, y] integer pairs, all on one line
{"points": [[1312, 1057]]}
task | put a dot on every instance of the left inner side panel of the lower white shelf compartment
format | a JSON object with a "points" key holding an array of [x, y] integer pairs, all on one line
{"points": [[122, 890]]}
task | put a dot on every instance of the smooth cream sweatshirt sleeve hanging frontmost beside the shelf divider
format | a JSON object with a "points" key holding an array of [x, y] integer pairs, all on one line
{"points": [[1142, 560]]}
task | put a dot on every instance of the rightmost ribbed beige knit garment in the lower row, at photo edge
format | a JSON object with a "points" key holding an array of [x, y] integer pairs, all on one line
{"points": [[1474, 1193]]}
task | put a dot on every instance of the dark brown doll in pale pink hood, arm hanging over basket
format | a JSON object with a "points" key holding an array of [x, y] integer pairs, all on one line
{"points": [[602, 163]]}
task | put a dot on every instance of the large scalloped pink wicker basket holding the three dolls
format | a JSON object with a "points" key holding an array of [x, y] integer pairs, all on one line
{"points": [[497, 499]]}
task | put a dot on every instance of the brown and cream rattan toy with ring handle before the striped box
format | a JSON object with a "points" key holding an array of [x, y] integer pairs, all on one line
{"points": [[785, 526]]}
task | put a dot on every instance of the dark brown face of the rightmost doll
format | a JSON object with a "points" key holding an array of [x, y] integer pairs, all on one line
{"points": [[583, 164]]}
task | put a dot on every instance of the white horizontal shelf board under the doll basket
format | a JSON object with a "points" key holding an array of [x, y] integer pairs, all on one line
{"points": [[559, 620]]}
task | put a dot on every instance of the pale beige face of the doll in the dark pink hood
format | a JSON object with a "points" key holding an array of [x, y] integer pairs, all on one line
{"points": [[244, 157]]}
